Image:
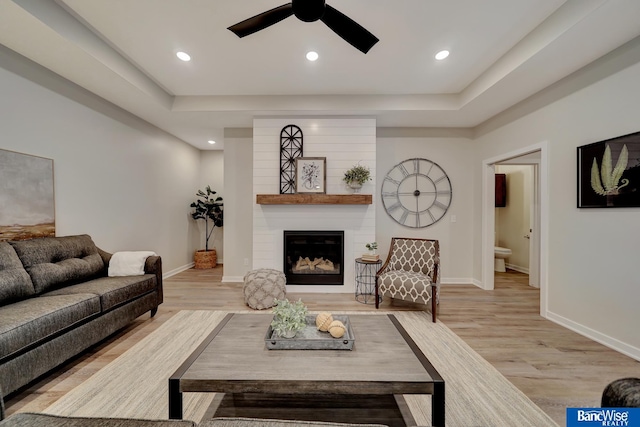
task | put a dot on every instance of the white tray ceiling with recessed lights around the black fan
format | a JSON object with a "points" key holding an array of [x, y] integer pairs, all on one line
{"points": [[502, 51]]}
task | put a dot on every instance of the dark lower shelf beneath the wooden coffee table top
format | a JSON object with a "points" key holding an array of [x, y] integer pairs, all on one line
{"points": [[387, 410]]}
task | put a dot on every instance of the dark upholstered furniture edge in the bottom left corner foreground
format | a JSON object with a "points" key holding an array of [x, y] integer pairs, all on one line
{"points": [[27, 419]]}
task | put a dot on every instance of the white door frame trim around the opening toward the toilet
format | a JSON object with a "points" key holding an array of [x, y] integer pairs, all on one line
{"points": [[534, 155]]}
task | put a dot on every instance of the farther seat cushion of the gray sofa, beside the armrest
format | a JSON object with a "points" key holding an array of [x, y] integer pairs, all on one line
{"points": [[112, 291]]}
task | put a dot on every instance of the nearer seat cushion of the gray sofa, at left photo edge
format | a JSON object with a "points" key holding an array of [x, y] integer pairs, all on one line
{"points": [[26, 322]]}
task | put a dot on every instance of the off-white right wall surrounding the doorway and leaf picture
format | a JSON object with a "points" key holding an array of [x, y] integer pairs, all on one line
{"points": [[592, 260]]}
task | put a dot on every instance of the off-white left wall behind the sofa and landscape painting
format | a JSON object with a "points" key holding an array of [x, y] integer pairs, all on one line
{"points": [[116, 178]]}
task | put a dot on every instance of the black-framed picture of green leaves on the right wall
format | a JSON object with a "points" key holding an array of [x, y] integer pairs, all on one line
{"points": [[609, 173]]}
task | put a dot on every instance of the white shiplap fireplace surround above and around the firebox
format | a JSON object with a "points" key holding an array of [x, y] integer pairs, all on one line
{"points": [[344, 142]]}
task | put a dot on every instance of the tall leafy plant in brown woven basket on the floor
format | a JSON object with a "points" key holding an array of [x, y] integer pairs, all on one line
{"points": [[209, 208]]}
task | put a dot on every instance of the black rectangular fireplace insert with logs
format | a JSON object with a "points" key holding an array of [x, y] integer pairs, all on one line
{"points": [[314, 257]]}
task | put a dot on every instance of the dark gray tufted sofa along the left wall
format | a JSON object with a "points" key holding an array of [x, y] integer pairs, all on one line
{"points": [[56, 300]]}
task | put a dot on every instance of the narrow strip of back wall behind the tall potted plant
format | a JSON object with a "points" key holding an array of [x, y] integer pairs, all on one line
{"points": [[212, 174]]}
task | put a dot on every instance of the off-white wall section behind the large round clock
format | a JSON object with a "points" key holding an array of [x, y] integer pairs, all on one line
{"points": [[453, 153]]}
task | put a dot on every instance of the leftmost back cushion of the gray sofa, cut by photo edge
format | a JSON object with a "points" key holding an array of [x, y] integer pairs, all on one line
{"points": [[15, 283]]}
